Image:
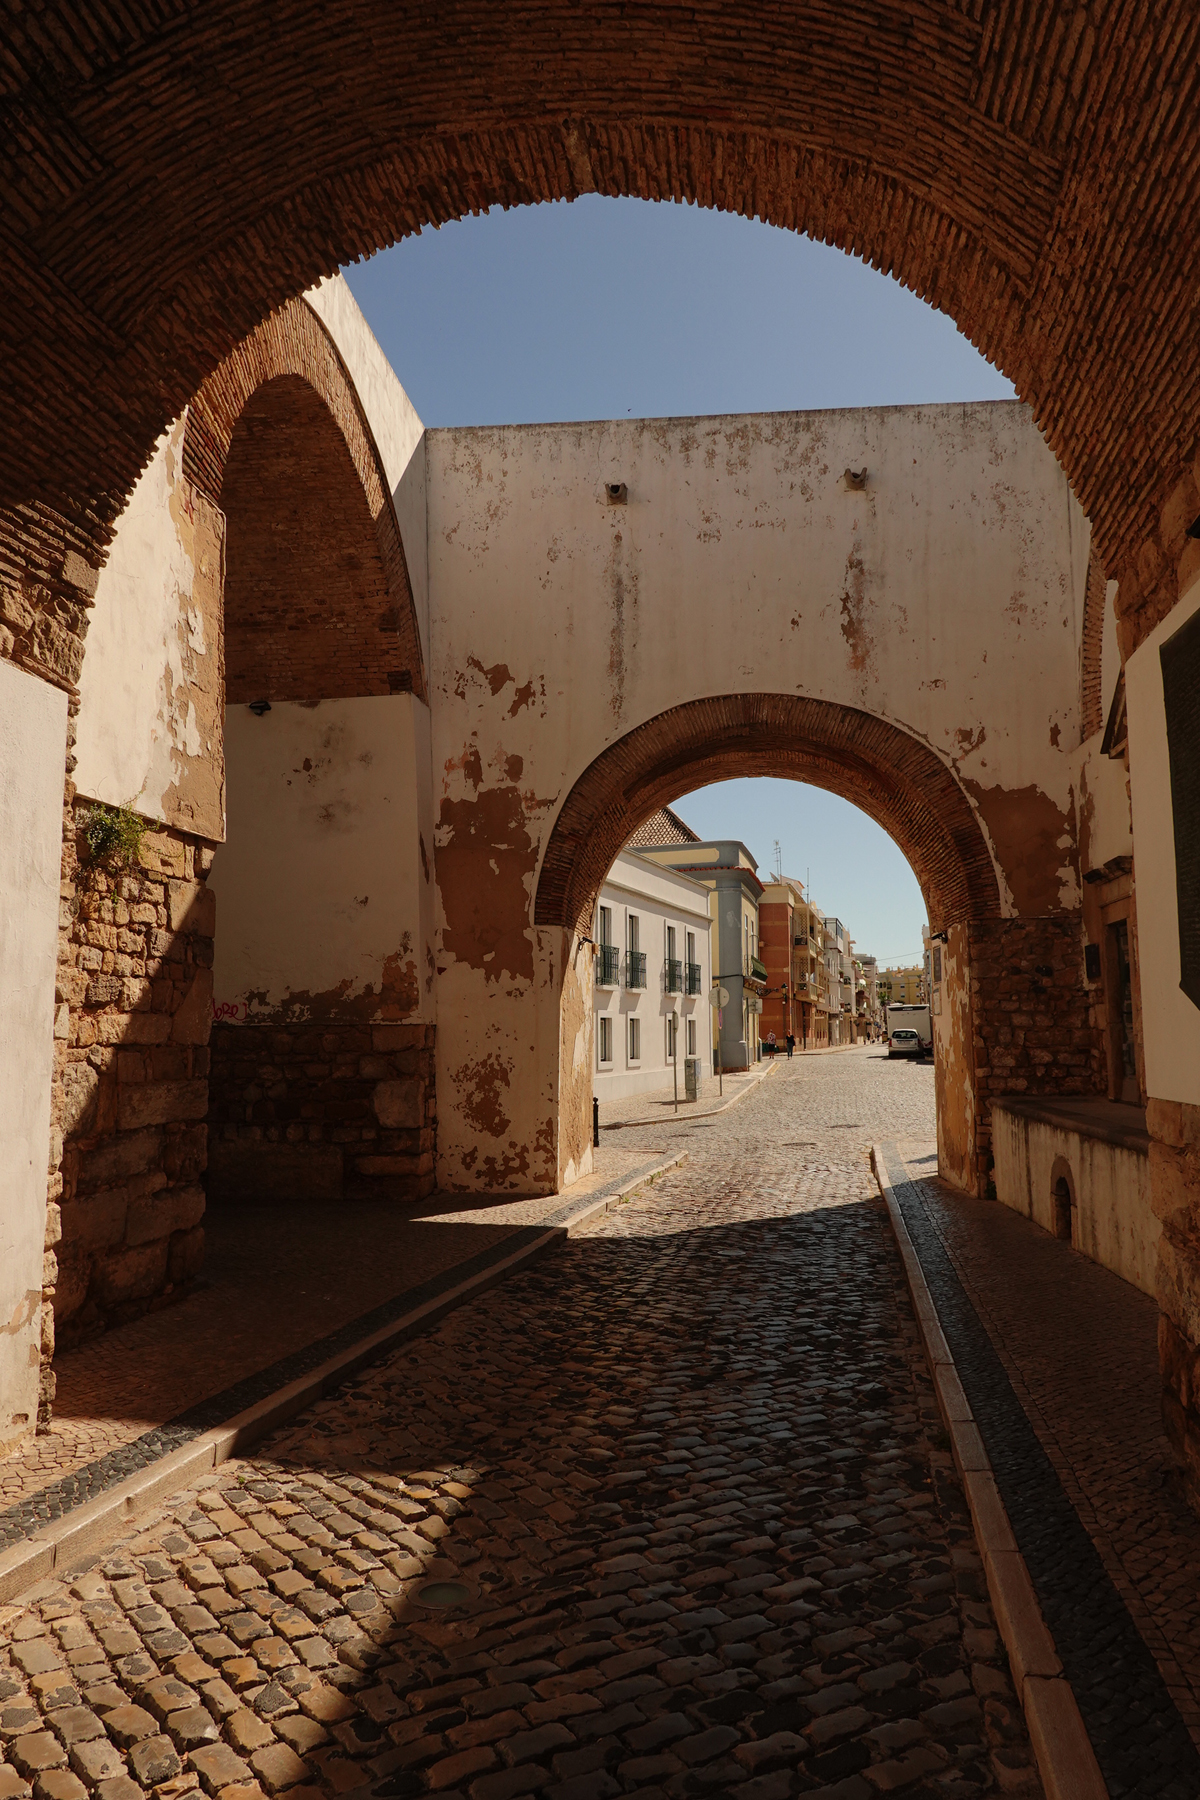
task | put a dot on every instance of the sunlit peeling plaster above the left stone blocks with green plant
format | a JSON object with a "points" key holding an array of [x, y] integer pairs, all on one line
{"points": [[152, 687]]}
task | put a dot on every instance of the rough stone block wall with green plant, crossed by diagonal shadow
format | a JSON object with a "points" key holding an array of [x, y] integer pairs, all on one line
{"points": [[134, 1012]]}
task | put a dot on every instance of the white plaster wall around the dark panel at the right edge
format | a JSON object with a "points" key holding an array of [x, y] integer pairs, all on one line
{"points": [[1170, 1021]]}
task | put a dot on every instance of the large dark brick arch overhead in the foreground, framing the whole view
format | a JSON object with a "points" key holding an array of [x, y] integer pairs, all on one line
{"points": [[998, 159]]}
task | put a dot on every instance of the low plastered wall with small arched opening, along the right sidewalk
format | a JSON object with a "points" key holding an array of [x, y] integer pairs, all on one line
{"points": [[1115, 1218]]}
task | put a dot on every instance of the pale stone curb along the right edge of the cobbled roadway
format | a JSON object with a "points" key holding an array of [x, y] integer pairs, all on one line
{"points": [[1061, 1743]]}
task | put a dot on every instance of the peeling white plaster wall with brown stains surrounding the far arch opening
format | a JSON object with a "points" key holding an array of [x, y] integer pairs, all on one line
{"points": [[947, 597]]}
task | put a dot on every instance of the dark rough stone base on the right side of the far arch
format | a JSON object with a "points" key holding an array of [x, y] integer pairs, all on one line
{"points": [[1032, 1016]]}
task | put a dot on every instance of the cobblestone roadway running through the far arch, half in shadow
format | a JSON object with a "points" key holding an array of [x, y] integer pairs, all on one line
{"points": [[688, 1479]]}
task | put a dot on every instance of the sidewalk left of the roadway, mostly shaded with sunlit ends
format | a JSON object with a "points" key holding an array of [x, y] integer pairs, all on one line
{"points": [[285, 1284]]}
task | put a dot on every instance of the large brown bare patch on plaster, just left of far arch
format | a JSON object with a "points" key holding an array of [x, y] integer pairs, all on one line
{"points": [[485, 865]]}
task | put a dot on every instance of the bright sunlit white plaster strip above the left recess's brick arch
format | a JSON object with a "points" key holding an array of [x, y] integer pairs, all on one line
{"points": [[395, 426]]}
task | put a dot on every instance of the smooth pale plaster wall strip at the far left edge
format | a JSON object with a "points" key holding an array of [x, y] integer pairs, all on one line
{"points": [[33, 748]]}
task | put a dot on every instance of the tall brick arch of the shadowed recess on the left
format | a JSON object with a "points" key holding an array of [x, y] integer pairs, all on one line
{"points": [[318, 582]]}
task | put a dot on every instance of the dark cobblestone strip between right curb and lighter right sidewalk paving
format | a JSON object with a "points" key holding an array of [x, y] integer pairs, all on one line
{"points": [[1140, 1738]]}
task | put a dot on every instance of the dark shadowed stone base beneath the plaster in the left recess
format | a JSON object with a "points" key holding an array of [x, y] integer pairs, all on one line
{"points": [[321, 1111]]}
